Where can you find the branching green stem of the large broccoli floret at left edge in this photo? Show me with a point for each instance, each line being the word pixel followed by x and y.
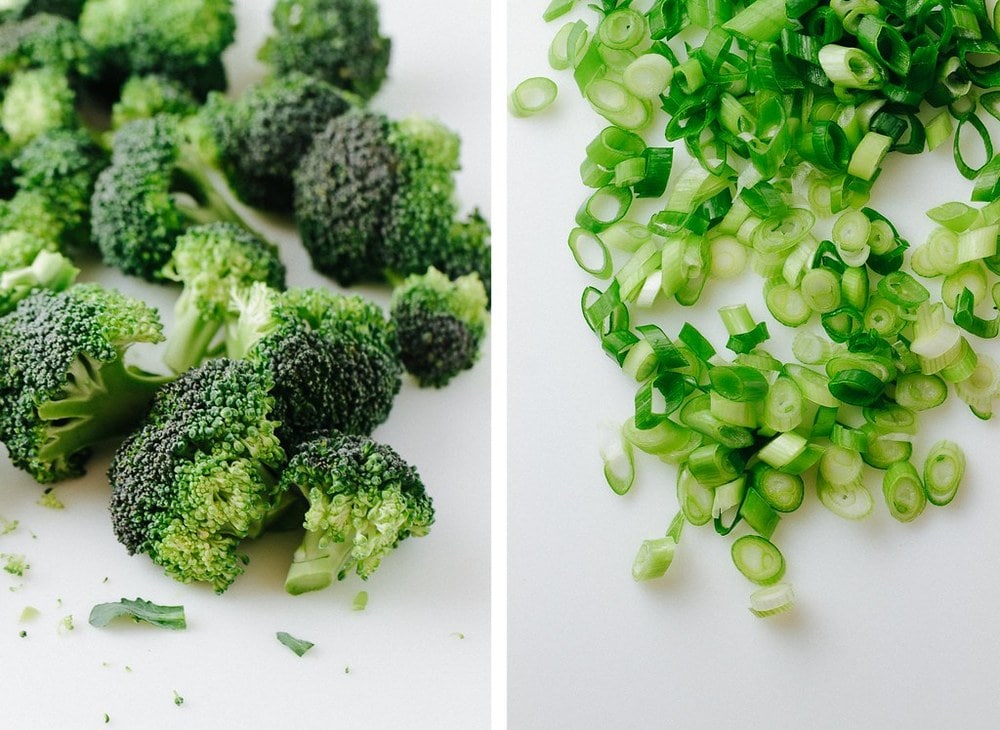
pixel 101 400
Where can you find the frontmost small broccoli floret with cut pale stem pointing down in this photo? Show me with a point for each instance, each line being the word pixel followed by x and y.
pixel 364 499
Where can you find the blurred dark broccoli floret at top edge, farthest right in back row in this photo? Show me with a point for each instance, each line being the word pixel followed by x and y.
pixel 335 40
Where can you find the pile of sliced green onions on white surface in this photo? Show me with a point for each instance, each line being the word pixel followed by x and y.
pixel 788 110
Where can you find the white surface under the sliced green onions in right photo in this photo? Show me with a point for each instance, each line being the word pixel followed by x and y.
pixel 895 625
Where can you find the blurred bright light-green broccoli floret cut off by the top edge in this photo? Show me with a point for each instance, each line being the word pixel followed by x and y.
pixel 183 39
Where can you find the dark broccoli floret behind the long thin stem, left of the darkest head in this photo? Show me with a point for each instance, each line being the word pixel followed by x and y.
pixel 263 133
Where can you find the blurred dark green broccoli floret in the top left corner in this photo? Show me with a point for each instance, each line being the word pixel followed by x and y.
pixel 44 40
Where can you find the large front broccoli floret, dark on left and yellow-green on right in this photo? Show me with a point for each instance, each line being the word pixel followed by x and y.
pixel 200 475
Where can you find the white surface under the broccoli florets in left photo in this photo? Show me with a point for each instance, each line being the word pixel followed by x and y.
pixel 408 665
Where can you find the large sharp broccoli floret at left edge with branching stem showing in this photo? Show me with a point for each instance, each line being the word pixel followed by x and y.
pixel 66 386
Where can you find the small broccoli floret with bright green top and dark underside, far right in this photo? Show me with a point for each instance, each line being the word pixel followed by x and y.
pixel 440 324
